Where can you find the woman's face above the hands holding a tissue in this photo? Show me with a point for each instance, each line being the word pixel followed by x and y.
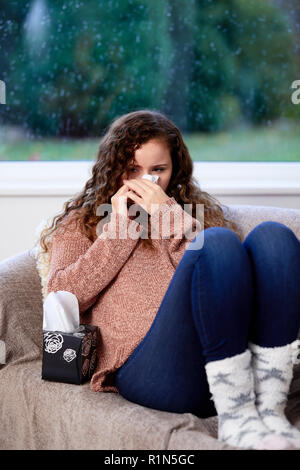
pixel 152 158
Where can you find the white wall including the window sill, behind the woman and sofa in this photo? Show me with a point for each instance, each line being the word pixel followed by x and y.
pixel 34 191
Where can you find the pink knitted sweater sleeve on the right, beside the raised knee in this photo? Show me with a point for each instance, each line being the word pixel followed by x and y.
pixel 175 226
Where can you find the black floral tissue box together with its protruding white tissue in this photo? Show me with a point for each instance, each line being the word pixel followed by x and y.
pixel 69 349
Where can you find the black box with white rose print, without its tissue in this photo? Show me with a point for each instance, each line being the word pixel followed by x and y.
pixel 70 357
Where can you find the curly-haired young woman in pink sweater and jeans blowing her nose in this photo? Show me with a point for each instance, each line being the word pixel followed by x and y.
pixel 207 328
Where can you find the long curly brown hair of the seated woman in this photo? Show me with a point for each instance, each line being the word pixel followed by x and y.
pixel 115 155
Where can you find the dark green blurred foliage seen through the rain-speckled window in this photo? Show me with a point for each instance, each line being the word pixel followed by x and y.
pixel 209 65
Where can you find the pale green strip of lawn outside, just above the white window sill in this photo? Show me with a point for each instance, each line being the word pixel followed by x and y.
pixel 257 144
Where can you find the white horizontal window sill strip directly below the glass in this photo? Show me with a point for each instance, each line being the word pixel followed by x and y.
pixel 65 178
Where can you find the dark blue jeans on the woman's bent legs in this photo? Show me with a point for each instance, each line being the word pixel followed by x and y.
pixel 220 297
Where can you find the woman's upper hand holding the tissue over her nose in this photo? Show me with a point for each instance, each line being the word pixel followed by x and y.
pixel 145 193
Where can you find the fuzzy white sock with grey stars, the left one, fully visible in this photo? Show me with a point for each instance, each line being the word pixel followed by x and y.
pixel 232 387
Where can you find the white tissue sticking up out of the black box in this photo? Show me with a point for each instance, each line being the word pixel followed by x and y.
pixel 61 312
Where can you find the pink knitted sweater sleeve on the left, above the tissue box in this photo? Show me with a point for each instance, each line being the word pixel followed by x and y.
pixel 85 268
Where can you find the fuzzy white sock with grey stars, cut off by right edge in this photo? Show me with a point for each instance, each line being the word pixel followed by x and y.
pixel 273 373
